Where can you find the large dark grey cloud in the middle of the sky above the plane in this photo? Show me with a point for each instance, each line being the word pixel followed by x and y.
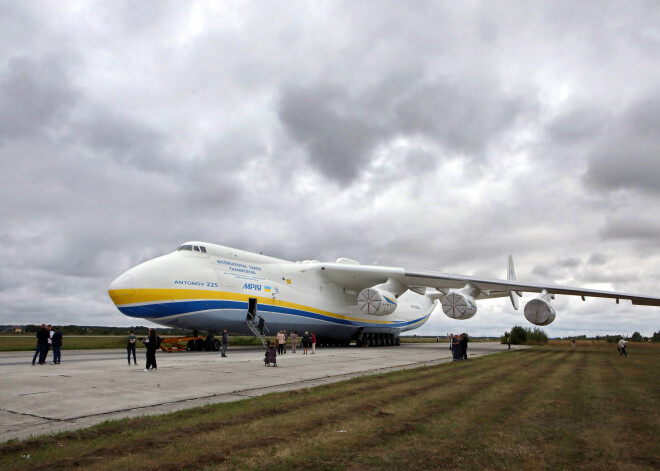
pixel 341 130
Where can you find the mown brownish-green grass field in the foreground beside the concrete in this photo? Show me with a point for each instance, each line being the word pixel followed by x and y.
pixel 550 407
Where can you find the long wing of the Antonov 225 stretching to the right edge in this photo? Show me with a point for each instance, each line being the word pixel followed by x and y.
pixel 358 277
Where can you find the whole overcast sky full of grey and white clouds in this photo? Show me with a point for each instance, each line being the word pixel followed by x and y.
pixel 429 135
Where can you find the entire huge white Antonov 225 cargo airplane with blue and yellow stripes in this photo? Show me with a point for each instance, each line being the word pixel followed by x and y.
pixel 207 287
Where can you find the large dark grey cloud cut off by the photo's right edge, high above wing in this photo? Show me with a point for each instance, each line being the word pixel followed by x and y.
pixel 626 154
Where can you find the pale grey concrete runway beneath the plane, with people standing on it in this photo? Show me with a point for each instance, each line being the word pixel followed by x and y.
pixel 92 386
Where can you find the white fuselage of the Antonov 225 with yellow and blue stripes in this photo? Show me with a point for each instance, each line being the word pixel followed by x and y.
pixel 213 289
